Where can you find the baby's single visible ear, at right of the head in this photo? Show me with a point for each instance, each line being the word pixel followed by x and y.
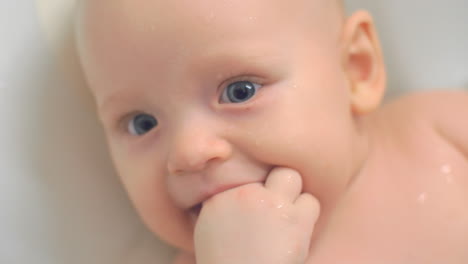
pixel 363 63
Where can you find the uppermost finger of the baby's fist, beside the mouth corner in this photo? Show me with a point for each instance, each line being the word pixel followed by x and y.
pixel 286 182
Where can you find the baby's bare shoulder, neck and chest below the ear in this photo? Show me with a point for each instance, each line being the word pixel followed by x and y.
pixel 414 211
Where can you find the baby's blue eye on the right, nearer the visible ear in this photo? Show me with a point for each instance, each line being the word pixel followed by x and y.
pixel 239 92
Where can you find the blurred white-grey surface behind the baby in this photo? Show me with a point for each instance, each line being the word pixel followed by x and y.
pixel 60 201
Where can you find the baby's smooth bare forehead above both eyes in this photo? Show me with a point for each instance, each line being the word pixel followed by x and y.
pixel 119 36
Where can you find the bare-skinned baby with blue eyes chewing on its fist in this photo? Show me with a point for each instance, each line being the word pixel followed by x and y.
pixel 249 131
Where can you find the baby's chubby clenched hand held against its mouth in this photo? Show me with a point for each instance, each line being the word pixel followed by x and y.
pixel 257 223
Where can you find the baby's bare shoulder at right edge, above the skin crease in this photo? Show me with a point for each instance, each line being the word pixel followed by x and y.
pixel 444 112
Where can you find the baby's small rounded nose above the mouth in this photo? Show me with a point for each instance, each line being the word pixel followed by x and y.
pixel 192 151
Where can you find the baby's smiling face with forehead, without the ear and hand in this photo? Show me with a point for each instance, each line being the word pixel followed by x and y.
pixel 200 95
